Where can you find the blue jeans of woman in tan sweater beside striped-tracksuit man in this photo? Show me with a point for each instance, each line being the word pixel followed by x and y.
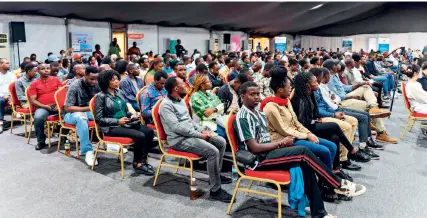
pixel 325 150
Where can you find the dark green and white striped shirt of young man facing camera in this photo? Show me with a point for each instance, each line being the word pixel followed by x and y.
pixel 251 126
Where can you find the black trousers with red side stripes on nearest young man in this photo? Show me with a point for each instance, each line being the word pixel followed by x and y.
pixel 286 158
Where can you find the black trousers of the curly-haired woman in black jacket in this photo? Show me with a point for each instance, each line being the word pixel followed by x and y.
pixel 141 135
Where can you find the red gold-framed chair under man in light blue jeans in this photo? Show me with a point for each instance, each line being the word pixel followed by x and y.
pixel 60 96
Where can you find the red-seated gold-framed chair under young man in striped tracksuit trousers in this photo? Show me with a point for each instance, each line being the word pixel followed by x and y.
pixel 277 177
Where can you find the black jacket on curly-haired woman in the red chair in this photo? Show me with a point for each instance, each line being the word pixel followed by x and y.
pixel 104 111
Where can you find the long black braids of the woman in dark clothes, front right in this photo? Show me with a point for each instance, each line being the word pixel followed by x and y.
pixel 304 102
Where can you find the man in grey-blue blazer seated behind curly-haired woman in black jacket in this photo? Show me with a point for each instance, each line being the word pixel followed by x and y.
pixel 131 85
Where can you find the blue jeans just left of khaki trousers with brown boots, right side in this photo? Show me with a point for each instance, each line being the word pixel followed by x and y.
pixel 363 122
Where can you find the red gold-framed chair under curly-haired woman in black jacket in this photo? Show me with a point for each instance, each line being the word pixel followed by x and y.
pixel 121 141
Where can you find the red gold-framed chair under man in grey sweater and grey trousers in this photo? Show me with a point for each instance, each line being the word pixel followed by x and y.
pixel 169 151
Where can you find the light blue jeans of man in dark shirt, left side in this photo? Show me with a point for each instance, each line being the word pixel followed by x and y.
pixel 80 120
